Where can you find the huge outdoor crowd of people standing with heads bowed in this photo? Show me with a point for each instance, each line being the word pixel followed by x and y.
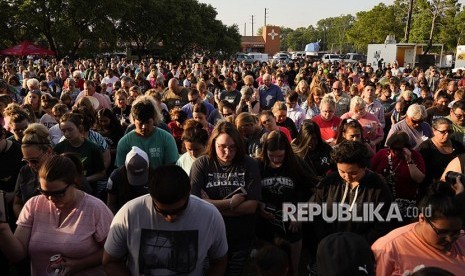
pixel 160 168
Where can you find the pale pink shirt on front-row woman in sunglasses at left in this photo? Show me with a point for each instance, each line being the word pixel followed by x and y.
pixel 81 233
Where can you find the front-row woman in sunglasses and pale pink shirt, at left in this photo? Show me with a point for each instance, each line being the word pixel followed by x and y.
pixel 62 220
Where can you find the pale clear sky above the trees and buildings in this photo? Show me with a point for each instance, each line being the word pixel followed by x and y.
pixel 288 13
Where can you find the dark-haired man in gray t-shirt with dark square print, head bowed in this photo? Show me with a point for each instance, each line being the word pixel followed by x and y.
pixel 168 232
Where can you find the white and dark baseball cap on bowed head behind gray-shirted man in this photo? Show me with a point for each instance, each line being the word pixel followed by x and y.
pixel 137 167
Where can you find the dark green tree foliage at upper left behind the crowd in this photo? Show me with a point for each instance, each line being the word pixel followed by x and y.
pixel 78 27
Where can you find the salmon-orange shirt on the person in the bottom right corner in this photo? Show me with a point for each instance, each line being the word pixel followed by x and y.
pixel 402 249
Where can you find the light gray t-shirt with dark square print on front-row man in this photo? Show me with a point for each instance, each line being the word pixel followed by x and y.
pixel 154 246
